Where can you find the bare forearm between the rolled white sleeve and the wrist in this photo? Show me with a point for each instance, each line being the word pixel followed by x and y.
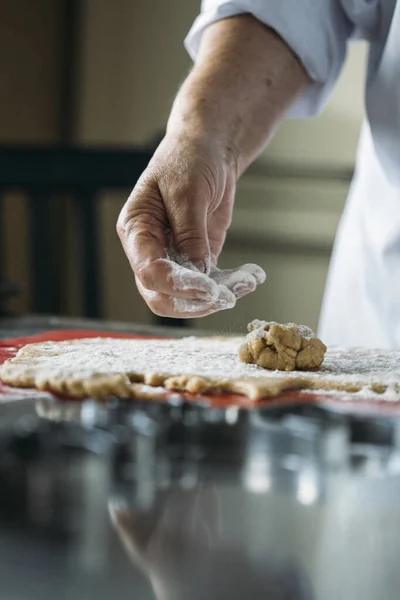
pixel 244 81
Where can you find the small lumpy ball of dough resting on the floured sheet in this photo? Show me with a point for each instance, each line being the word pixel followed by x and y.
pixel 282 347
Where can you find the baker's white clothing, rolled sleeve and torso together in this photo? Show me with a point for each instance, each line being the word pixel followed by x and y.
pixel 362 299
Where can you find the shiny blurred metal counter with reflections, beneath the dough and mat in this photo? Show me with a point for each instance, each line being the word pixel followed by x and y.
pixel 178 502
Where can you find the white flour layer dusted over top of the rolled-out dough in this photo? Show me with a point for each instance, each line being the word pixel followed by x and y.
pixel 210 358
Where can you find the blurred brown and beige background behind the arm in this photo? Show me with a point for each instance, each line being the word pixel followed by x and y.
pixel 86 87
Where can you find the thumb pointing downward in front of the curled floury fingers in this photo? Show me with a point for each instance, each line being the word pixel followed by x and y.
pixel 187 217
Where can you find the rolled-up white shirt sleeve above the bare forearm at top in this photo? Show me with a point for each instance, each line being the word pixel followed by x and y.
pixel 316 30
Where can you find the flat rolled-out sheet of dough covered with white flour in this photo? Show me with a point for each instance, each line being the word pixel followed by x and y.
pixel 104 367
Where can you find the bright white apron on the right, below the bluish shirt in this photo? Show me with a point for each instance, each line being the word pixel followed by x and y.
pixel 362 298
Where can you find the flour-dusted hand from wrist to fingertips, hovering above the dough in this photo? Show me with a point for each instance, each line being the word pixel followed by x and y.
pixel 174 225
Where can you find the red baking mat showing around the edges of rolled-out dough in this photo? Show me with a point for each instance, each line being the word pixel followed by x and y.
pixel 9 348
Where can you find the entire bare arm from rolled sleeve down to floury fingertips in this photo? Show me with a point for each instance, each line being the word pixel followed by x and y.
pixel 244 81
